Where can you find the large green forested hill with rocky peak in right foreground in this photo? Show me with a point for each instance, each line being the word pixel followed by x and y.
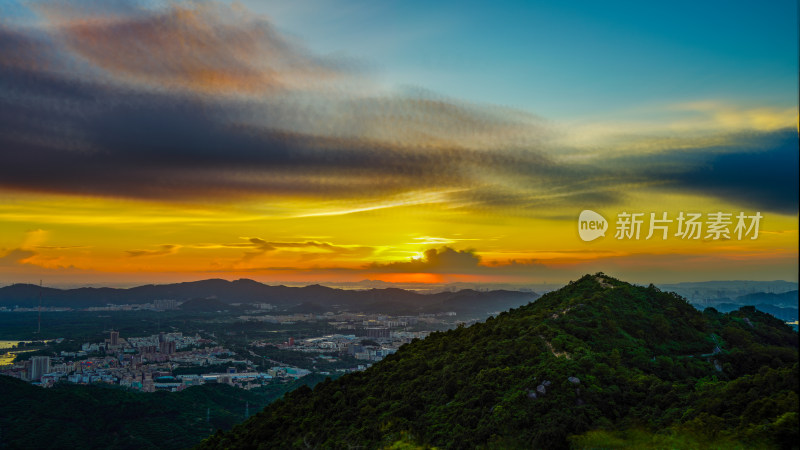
pixel 598 363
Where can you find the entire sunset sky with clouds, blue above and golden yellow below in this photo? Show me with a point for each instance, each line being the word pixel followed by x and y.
pixel 329 141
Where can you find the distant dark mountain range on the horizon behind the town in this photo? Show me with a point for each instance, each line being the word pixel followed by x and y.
pixel 312 298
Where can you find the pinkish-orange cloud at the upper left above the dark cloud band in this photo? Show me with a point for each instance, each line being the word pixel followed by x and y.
pixel 199 46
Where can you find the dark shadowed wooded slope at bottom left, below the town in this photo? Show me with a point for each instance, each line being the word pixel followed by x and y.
pixel 103 417
